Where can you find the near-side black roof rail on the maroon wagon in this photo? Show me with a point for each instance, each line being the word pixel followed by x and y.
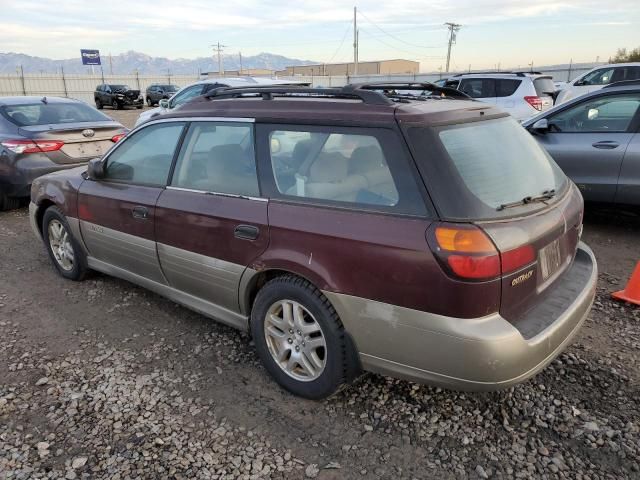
pixel 267 92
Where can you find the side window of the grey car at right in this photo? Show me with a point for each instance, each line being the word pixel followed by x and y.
pixel 604 114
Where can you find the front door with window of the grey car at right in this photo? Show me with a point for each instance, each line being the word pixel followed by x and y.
pixel 588 140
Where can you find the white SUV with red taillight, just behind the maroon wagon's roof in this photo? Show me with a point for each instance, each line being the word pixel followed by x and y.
pixel 522 95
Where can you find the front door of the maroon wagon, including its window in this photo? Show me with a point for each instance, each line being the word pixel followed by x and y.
pixel 118 212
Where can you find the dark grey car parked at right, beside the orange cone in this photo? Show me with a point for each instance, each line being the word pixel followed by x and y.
pixel 595 139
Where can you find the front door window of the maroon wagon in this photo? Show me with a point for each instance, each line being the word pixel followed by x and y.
pixel 145 157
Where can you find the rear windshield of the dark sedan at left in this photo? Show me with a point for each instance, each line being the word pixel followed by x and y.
pixel 27 115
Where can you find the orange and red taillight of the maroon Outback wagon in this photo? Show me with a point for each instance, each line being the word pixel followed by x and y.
pixel 468 253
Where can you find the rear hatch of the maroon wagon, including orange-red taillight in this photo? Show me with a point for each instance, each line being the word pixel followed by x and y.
pixel 517 212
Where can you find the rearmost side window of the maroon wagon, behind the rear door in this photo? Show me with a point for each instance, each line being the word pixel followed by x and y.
pixel 332 166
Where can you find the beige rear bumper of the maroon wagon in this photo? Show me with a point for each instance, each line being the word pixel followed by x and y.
pixel 487 353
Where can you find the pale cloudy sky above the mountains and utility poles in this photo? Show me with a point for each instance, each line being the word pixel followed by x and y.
pixel 505 33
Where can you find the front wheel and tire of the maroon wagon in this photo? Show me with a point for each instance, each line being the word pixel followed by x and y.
pixel 54 218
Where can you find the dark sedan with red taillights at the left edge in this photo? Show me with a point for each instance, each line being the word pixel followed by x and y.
pixel 39 135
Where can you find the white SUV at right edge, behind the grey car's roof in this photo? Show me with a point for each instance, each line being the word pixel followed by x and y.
pixel 597 78
